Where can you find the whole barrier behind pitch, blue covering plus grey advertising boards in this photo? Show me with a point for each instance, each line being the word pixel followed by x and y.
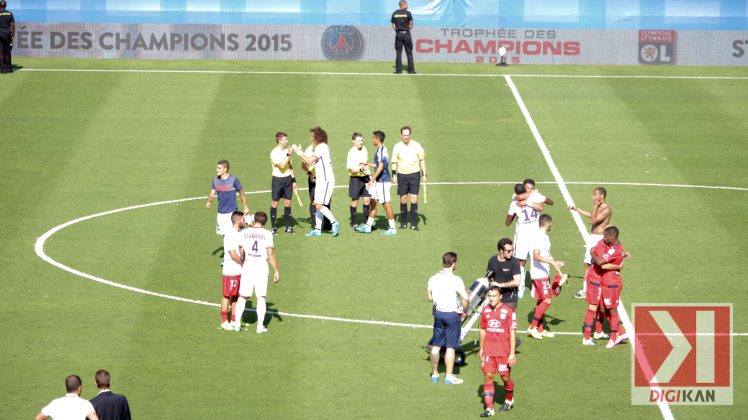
pixel 660 32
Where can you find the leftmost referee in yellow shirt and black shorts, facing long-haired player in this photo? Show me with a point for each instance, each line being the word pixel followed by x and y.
pixel 283 183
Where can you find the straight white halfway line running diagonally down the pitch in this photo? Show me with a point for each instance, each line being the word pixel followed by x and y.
pixel 667 414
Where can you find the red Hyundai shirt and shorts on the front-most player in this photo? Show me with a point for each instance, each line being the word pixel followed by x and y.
pixel 498 324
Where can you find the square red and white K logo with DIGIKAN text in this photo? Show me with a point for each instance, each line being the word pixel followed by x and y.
pixel 682 354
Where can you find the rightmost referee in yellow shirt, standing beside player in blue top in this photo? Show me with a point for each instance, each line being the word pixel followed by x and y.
pixel 408 165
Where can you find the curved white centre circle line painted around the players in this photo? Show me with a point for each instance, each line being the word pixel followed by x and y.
pixel 39 249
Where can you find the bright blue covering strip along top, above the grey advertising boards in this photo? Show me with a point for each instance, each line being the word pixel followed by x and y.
pixel 557 14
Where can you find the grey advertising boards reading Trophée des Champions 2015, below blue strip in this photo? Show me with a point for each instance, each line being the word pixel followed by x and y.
pixel 369 43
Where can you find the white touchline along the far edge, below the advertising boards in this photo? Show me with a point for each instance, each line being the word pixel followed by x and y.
pixel 331 73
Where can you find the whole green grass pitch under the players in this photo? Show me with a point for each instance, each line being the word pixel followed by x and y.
pixel 76 143
